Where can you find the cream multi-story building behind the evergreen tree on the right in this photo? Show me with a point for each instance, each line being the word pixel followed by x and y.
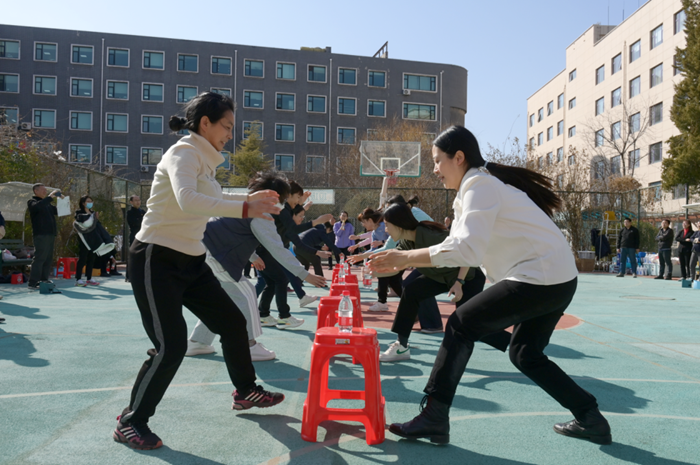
pixel 614 97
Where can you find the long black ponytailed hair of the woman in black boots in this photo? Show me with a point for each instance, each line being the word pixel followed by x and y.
pixel 537 186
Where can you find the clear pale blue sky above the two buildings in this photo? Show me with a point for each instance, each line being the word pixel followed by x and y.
pixel 510 47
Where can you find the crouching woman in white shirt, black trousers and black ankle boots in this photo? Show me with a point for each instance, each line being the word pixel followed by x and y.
pixel 503 224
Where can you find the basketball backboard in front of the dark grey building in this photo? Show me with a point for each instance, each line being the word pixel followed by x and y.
pixel 377 156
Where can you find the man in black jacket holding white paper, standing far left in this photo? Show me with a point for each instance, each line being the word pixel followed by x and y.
pixel 43 214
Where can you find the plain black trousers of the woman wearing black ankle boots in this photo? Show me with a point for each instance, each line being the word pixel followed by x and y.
pixel 535 311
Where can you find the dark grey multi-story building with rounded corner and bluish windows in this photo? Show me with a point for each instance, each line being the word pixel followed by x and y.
pixel 107 98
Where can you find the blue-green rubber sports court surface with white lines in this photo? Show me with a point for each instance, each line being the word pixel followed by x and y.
pixel 67 363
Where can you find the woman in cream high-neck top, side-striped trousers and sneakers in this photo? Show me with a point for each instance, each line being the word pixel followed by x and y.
pixel 168 269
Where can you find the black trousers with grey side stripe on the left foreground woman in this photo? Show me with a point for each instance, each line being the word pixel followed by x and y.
pixel 163 281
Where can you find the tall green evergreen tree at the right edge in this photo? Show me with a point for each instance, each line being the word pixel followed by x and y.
pixel 683 164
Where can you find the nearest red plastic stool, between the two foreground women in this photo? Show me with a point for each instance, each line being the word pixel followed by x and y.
pixel 360 343
